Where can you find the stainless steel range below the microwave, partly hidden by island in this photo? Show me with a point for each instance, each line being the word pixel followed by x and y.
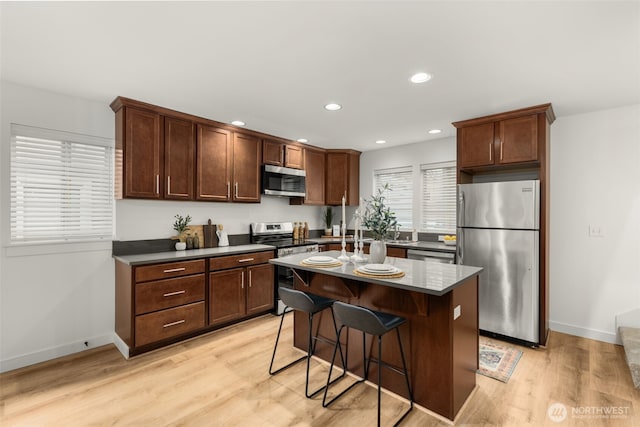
pixel 280 235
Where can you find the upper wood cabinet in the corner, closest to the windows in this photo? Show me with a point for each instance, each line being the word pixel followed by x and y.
pixel 342 177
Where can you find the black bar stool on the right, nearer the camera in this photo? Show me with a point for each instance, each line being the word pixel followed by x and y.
pixel 373 323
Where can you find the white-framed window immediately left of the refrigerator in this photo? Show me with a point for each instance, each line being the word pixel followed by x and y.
pixel 447 215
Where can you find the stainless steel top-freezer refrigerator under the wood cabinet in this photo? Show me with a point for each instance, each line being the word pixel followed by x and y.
pixel 499 230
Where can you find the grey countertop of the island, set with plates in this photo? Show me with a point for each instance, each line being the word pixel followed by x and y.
pixel 427 277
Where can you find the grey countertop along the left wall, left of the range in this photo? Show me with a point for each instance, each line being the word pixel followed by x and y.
pixel 171 256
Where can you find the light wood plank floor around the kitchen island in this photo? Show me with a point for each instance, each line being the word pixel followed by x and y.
pixel 221 379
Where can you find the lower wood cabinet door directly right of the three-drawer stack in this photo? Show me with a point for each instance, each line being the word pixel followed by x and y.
pixel 226 295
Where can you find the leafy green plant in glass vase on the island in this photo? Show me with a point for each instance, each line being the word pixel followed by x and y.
pixel 379 219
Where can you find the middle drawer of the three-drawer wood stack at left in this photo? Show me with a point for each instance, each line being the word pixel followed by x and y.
pixel 161 294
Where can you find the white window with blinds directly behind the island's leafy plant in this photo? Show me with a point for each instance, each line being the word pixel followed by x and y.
pixel 405 176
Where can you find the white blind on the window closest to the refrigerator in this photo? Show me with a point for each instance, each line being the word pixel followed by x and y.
pixel 438 210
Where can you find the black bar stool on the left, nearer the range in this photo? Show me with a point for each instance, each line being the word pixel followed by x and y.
pixel 310 304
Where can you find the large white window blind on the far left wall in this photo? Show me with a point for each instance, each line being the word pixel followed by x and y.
pixel 61 186
